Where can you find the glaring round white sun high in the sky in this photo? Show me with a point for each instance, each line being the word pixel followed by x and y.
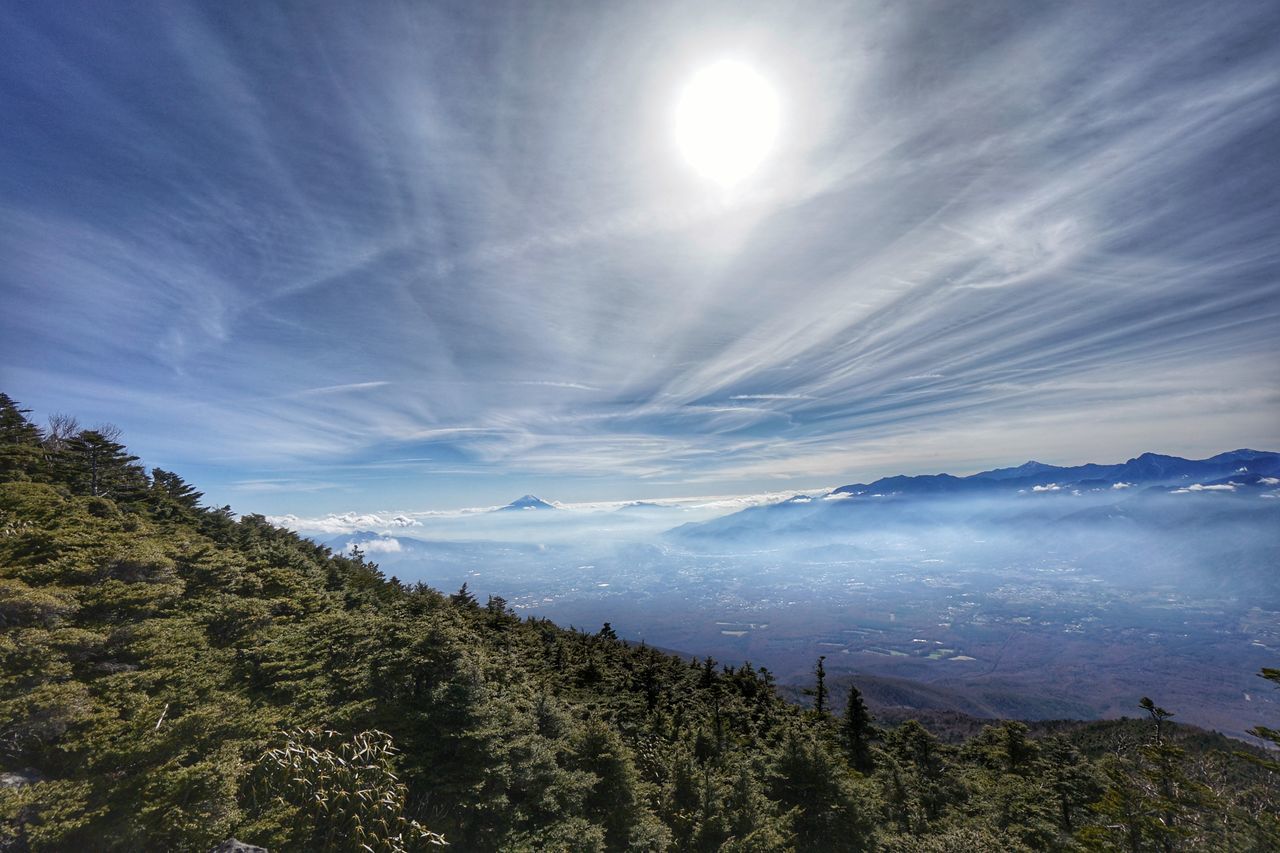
pixel 726 121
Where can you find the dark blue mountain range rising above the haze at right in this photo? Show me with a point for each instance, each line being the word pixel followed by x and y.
pixel 1151 489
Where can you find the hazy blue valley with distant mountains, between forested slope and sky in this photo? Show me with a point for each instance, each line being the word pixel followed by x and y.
pixel 1031 592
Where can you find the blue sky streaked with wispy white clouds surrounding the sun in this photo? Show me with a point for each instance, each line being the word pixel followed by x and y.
pixel 328 257
